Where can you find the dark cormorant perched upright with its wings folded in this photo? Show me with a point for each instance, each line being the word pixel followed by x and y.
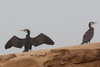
pixel 89 34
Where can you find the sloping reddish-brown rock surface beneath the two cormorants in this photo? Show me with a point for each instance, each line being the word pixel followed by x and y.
pixel 87 55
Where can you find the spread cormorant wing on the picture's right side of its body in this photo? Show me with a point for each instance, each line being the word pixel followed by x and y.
pixel 41 39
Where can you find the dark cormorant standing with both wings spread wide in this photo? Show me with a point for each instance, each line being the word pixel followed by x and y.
pixel 28 41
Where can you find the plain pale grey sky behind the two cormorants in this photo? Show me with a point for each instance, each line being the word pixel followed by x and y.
pixel 64 21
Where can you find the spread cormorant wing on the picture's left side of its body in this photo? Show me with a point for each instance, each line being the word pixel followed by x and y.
pixel 16 42
